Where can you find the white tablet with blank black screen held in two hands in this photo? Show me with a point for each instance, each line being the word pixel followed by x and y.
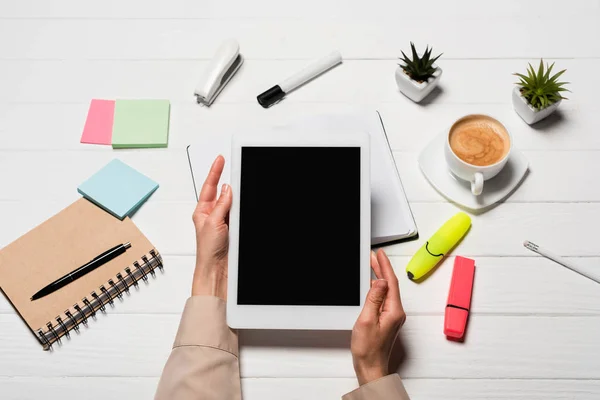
pixel 299 230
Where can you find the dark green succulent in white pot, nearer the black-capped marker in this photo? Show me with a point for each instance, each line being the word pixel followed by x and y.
pixel 419 75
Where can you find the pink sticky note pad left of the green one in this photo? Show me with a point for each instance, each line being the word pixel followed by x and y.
pixel 98 125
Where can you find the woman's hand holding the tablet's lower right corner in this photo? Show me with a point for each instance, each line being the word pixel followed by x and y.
pixel 378 324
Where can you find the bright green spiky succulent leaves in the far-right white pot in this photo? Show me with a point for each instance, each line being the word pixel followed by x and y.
pixel 540 89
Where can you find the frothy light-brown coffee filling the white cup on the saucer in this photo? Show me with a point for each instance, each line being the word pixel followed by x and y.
pixel 479 140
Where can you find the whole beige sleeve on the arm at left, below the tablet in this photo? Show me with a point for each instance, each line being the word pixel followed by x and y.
pixel 204 361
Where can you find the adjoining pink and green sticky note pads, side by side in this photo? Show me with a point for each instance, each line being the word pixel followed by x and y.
pixel 127 123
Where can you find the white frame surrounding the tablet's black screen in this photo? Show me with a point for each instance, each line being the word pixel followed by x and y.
pixel 298 317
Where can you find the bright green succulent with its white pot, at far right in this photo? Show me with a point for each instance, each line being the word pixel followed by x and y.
pixel 537 95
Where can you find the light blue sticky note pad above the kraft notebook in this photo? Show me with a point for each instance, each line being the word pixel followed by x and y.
pixel 118 188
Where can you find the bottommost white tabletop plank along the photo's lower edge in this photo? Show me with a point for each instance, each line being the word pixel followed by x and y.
pixel 300 389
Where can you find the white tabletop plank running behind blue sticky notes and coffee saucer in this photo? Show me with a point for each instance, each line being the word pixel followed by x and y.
pixel 571 184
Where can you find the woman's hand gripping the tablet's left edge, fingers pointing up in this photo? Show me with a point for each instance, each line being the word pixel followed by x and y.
pixel 211 219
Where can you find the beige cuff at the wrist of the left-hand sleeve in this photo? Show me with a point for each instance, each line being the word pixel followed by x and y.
pixel 203 323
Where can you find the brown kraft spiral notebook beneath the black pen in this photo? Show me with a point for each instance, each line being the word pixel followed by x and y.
pixel 60 245
